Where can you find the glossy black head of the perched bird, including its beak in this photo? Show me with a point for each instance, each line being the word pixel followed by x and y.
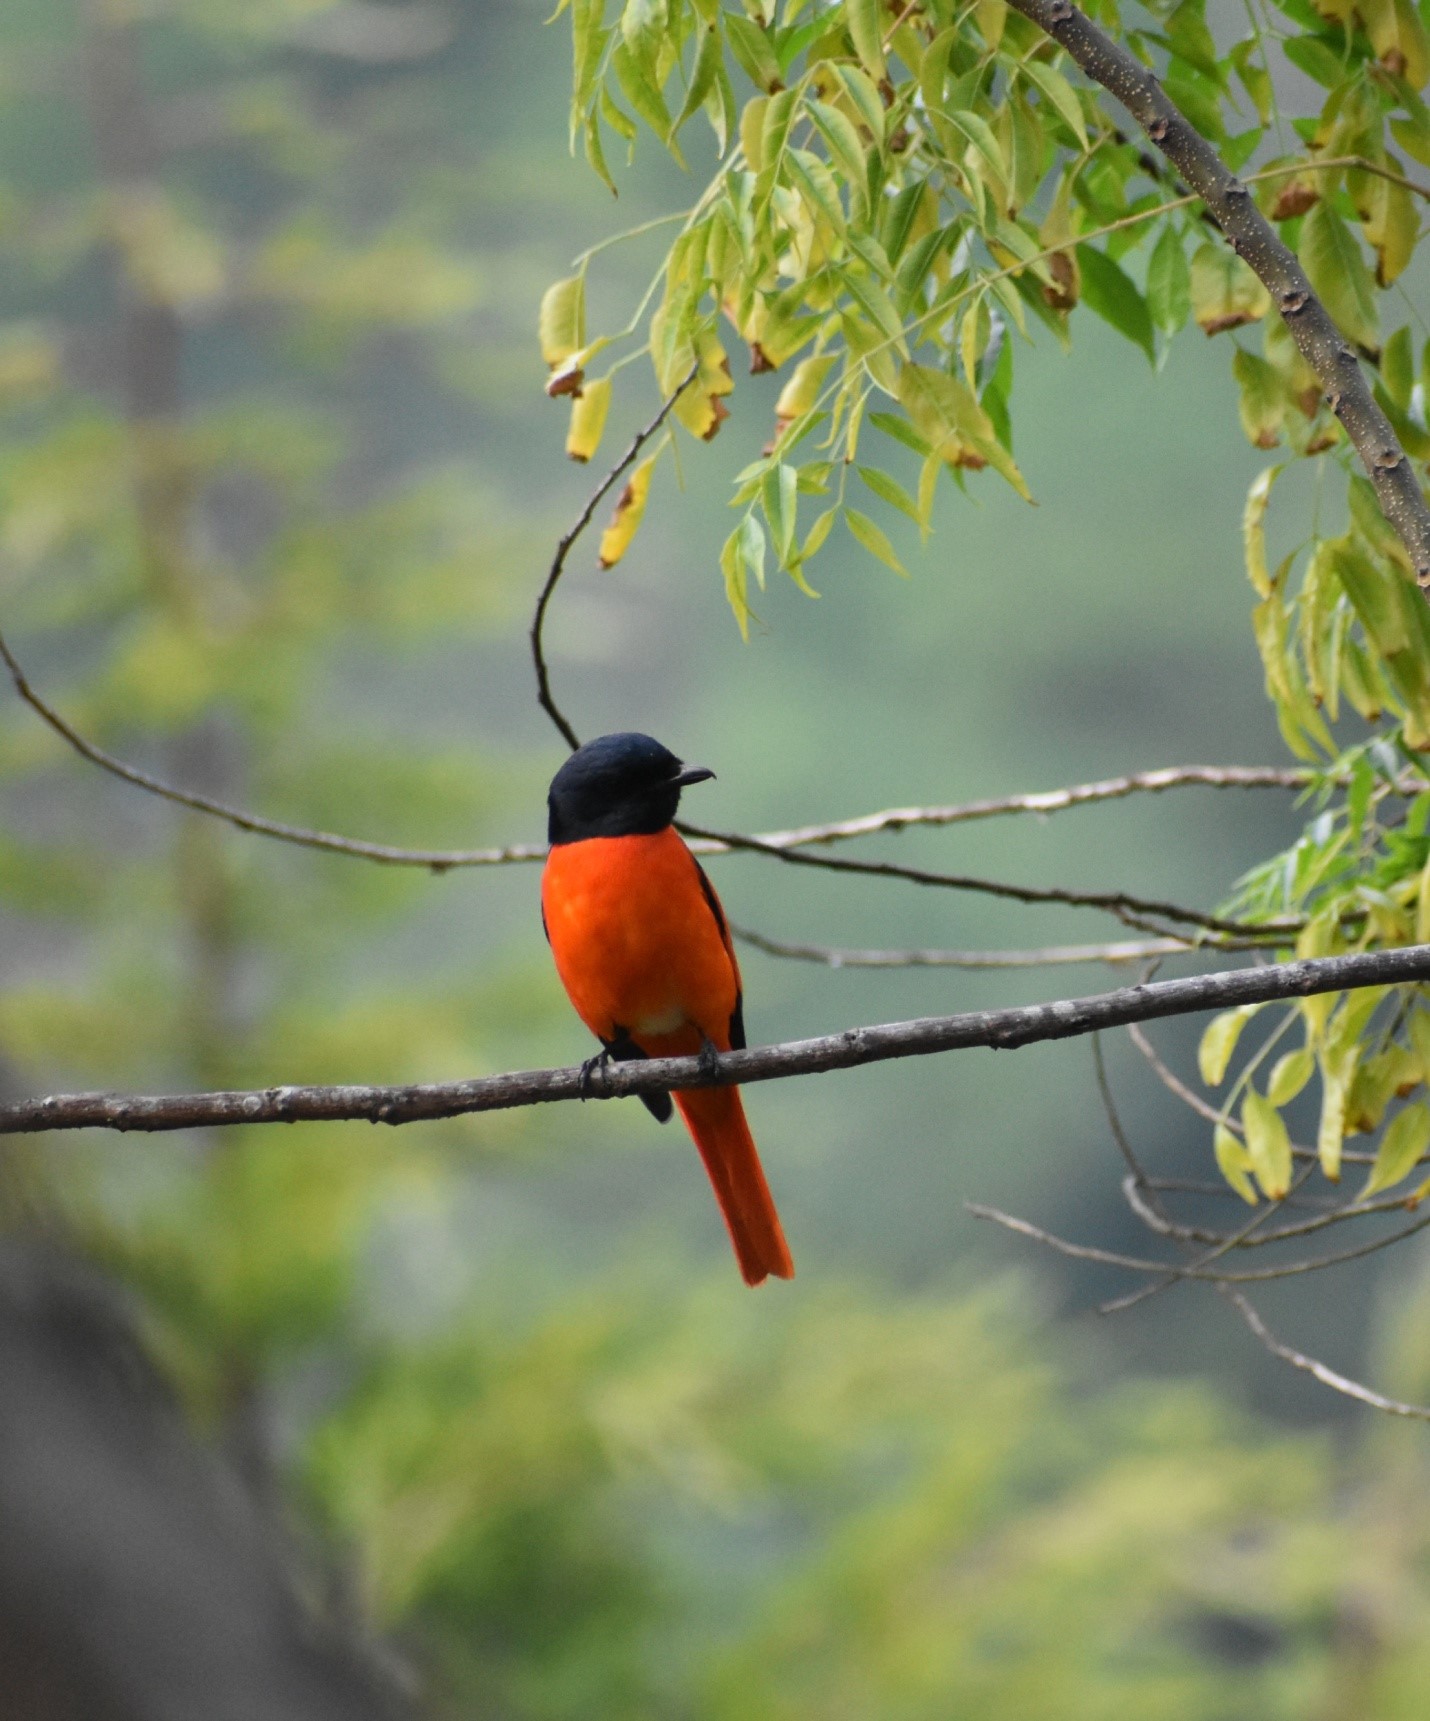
pixel 617 786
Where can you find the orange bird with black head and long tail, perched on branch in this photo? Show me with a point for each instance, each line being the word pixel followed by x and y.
pixel 644 953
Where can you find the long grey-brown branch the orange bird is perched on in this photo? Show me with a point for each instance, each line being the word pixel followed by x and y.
pixel 999 1030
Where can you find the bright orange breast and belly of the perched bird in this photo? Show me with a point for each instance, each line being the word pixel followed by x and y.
pixel 636 942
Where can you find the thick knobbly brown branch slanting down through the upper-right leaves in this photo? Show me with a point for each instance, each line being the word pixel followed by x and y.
pixel 1254 238
